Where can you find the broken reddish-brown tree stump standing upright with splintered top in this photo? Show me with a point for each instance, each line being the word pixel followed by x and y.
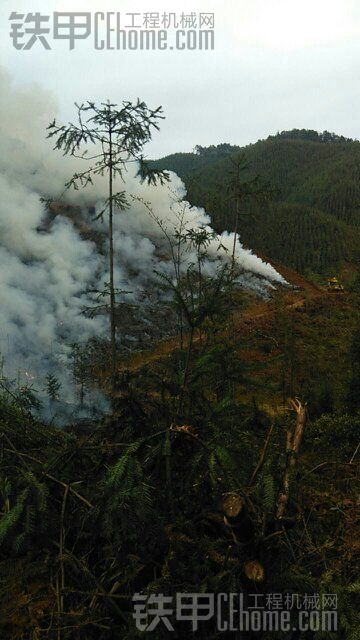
pixel 293 442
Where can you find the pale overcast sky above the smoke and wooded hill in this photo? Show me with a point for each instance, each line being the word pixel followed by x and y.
pixel 277 64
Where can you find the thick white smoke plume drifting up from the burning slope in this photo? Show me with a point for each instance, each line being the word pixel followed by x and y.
pixel 45 272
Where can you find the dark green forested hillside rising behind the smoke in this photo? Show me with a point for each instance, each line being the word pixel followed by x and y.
pixel 311 219
